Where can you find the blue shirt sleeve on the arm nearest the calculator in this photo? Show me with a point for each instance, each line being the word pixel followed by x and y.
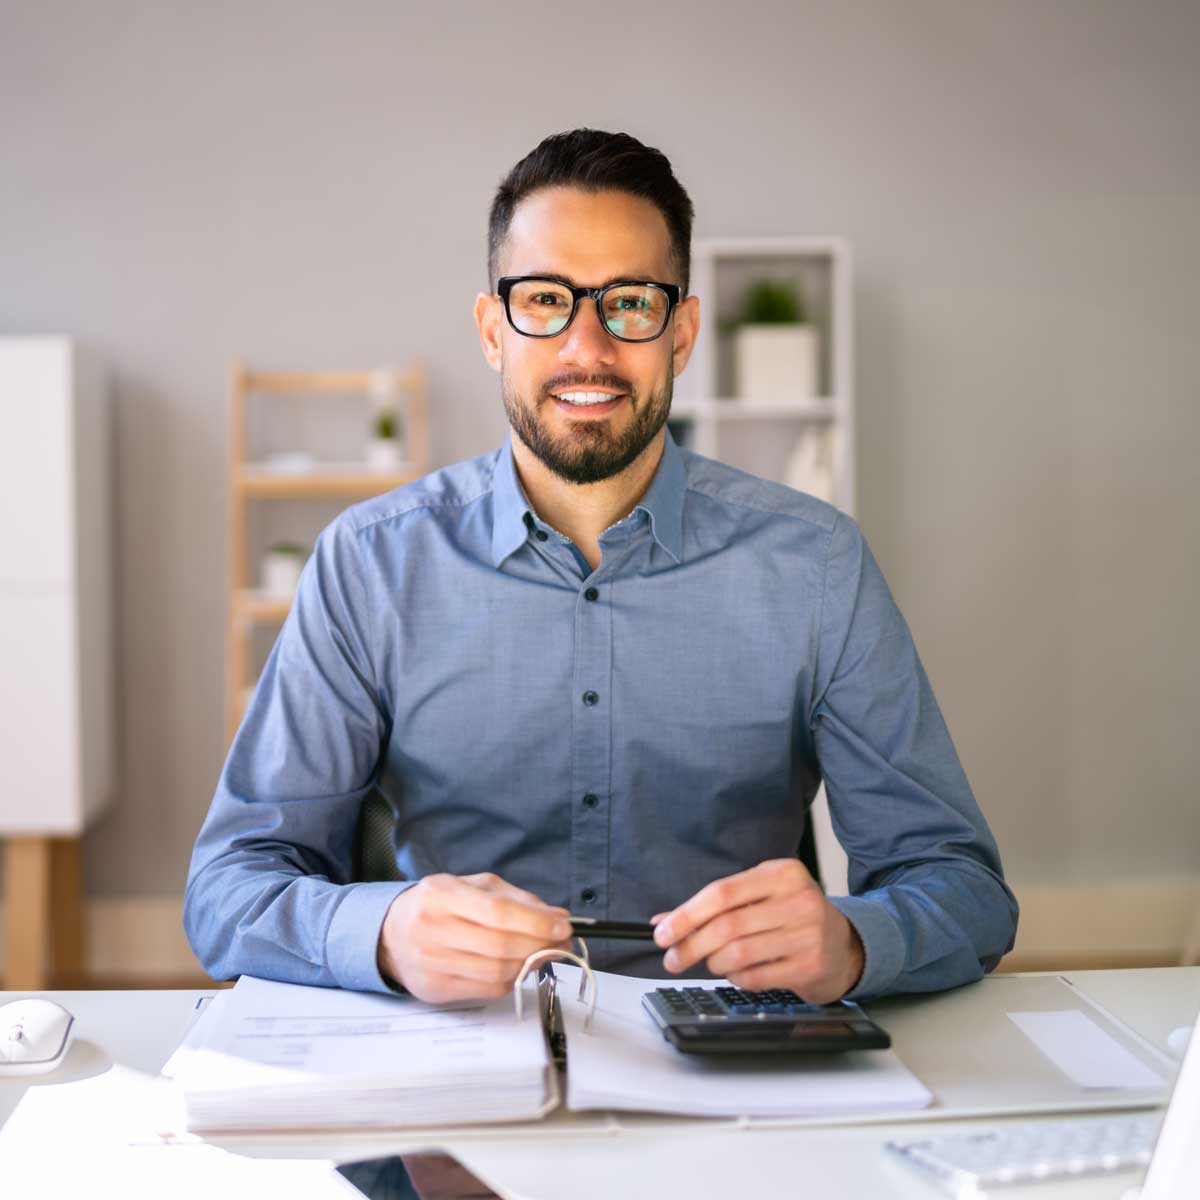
pixel 928 895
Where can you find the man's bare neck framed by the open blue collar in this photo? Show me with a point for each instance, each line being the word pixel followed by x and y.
pixel 583 512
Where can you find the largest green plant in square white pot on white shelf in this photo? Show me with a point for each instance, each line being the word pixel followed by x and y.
pixel 775 345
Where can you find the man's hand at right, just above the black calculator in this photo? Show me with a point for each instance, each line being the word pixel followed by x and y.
pixel 771 927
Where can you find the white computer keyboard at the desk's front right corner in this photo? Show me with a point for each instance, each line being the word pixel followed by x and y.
pixel 1030 1151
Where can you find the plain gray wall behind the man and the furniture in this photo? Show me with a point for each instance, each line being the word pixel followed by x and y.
pixel 1019 181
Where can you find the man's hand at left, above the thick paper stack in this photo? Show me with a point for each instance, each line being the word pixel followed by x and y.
pixel 465 938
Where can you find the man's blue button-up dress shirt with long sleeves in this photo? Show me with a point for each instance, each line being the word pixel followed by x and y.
pixel 611 741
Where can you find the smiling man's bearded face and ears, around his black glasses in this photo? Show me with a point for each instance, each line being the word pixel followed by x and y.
pixel 587 241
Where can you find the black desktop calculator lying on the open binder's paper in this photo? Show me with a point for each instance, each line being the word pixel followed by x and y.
pixel 730 1021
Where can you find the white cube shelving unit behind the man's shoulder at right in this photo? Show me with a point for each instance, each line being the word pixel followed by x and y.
pixel 757 434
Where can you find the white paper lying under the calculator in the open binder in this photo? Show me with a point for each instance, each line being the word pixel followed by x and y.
pixel 626 1064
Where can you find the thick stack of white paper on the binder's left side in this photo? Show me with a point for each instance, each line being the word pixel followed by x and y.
pixel 283 1057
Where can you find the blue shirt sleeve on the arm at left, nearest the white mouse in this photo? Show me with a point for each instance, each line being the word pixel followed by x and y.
pixel 272 889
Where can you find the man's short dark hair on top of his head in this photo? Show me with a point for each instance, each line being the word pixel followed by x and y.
pixel 596 161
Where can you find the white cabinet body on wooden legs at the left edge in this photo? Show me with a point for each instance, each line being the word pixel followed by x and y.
pixel 57 751
